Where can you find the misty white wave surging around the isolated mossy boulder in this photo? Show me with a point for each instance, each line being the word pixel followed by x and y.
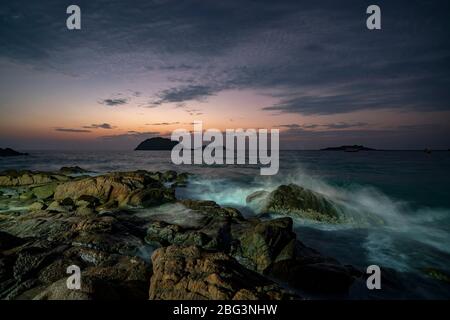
pixel 394 228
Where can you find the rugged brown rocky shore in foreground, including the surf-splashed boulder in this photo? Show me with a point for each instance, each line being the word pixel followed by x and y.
pixel 108 225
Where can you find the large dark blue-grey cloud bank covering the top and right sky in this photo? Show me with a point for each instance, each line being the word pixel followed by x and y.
pixel 314 57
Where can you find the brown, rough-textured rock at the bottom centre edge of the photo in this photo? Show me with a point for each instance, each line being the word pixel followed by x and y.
pixel 181 273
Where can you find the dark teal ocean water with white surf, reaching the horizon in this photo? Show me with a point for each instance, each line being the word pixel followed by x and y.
pixel 407 190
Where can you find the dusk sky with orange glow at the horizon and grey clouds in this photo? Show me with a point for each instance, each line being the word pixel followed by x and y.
pixel 143 68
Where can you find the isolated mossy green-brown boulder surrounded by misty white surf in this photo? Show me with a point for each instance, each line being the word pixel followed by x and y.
pixel 297 201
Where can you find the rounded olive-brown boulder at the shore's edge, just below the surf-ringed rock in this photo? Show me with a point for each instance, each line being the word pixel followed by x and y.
pixel 266 242
